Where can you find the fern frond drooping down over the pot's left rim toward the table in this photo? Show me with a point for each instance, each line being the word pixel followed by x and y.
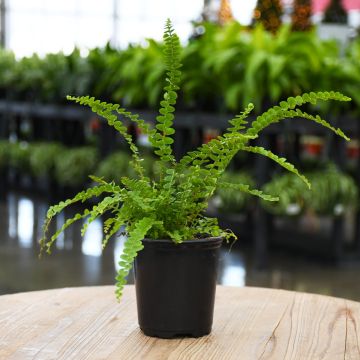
pixel 132 246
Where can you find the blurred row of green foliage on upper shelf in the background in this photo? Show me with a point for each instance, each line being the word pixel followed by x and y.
pixel 223 70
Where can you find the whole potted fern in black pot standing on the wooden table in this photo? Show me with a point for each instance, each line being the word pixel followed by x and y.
pixel 173 244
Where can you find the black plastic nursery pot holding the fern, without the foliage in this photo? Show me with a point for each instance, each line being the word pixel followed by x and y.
pixel 175 287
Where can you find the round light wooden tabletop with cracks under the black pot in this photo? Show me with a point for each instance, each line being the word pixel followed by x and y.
pixel 249 323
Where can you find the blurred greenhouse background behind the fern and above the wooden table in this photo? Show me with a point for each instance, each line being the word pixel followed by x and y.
pixel 234 52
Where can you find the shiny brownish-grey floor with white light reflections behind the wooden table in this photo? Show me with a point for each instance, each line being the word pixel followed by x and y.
pixel 80 262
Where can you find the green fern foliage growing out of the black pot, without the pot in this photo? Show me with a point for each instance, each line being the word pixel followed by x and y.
pixel 173 205
